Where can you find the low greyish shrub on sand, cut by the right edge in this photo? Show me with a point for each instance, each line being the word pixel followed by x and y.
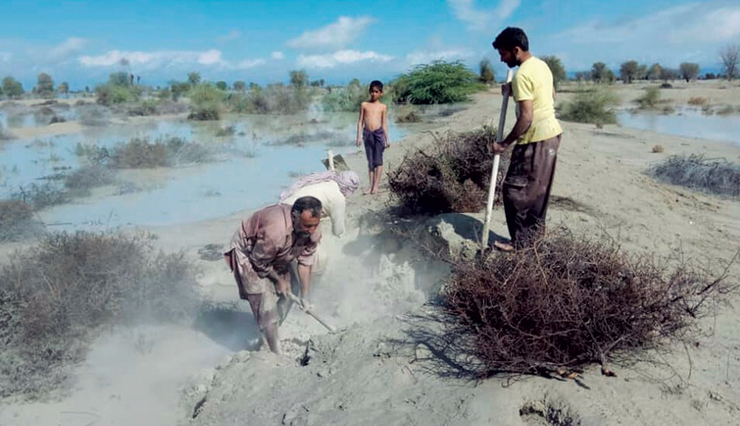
pixel 716 176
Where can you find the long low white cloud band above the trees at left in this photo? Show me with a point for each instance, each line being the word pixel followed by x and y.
pixel 154 60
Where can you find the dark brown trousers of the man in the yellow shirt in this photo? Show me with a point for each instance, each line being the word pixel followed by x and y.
pixel 526 189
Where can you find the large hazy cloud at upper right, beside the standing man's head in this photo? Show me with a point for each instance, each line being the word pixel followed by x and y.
pixel 691 32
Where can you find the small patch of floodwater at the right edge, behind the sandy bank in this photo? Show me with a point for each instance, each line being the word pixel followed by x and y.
pixel 686 122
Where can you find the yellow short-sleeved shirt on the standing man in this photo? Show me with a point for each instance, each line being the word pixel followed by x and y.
pixel 533 82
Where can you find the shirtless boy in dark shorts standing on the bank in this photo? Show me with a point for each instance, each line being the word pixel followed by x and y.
pixel 372 127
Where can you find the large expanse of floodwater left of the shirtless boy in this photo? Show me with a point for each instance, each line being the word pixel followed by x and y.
pixel 251 167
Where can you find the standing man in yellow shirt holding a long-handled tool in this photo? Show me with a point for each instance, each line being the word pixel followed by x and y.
pixel 537 135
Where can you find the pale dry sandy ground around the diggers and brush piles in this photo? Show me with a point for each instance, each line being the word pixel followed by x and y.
pixel 373 372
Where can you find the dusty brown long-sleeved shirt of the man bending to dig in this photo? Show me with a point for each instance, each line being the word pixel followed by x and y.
pixel 267 241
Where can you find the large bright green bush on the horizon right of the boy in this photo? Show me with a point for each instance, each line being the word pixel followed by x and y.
pixel 437 83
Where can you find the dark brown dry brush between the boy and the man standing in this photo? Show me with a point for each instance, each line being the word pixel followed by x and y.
pixel 451 176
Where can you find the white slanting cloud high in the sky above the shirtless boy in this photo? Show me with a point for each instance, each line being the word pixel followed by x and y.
pixel 333 36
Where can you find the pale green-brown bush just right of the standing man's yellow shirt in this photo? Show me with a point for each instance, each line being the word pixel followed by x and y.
pixel 591 106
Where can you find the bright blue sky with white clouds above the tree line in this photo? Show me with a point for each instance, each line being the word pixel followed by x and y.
pixel 83 41
